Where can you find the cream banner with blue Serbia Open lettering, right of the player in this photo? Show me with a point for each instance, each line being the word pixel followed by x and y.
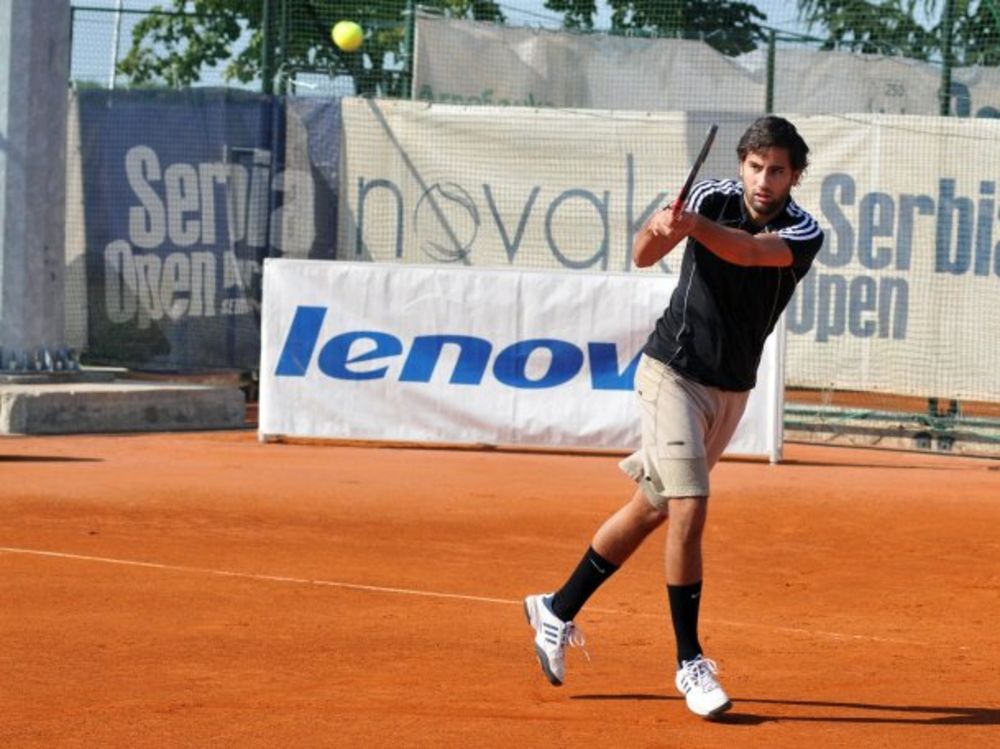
pixel 903 296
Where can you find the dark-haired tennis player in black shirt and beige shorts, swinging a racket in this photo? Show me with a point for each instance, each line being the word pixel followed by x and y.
pixel 748 245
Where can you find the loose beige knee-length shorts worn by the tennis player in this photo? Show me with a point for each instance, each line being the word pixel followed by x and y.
pixel 685 428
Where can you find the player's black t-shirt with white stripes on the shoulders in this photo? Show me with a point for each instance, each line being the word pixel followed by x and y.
pixel 720 314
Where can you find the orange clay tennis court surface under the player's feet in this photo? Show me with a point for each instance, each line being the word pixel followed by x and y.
pixel 206 590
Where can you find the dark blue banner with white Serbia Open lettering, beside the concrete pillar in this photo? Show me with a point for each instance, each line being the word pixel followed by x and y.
pixel 178 201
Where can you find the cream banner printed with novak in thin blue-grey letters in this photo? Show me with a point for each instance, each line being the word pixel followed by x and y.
pixel 528 188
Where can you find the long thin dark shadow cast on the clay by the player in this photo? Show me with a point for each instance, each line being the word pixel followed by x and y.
pixel 835 712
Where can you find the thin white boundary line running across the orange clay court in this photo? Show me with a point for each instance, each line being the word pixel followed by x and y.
pixel 428 593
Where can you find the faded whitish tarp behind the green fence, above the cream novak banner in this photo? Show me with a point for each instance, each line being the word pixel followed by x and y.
pixel 468 62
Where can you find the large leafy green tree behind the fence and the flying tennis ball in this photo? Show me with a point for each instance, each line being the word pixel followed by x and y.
pixel 173 45
